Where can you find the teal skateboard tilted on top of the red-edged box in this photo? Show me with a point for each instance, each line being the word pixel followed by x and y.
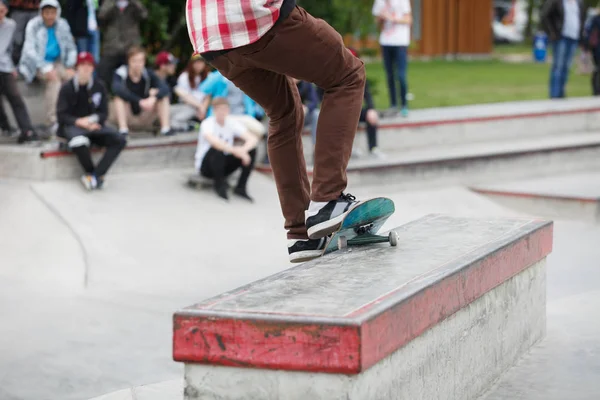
pixel 360 226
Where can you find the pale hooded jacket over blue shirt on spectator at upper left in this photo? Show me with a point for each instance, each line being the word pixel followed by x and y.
pixel 45 45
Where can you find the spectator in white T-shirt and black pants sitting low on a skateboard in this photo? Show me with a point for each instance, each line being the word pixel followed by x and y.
pixel 217 156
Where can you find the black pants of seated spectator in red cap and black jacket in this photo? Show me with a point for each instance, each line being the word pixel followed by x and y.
pixel 106 137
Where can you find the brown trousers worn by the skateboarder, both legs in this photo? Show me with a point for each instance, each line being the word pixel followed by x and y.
pixel 308 49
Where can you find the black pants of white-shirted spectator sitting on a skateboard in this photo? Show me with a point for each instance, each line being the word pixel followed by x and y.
pixel 218 166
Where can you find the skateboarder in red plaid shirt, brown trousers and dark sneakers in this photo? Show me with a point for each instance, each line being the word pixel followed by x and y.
pixel 259 45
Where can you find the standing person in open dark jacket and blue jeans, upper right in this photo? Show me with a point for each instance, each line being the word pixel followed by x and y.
pixel 563 21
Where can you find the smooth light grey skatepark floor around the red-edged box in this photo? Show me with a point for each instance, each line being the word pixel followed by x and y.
pixel 88 282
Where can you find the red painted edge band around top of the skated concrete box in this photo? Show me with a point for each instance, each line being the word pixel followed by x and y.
pixel 348 349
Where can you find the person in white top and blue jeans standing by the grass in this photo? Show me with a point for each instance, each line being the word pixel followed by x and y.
pixel 395 20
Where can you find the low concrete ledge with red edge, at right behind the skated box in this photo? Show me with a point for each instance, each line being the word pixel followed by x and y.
pixel 573 196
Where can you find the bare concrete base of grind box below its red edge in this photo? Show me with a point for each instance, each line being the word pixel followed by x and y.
pixel 456 359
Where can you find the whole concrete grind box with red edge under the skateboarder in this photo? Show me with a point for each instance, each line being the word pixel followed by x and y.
pixel 343 326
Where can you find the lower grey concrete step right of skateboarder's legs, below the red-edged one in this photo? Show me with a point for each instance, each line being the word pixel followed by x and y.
pixel 479 162
